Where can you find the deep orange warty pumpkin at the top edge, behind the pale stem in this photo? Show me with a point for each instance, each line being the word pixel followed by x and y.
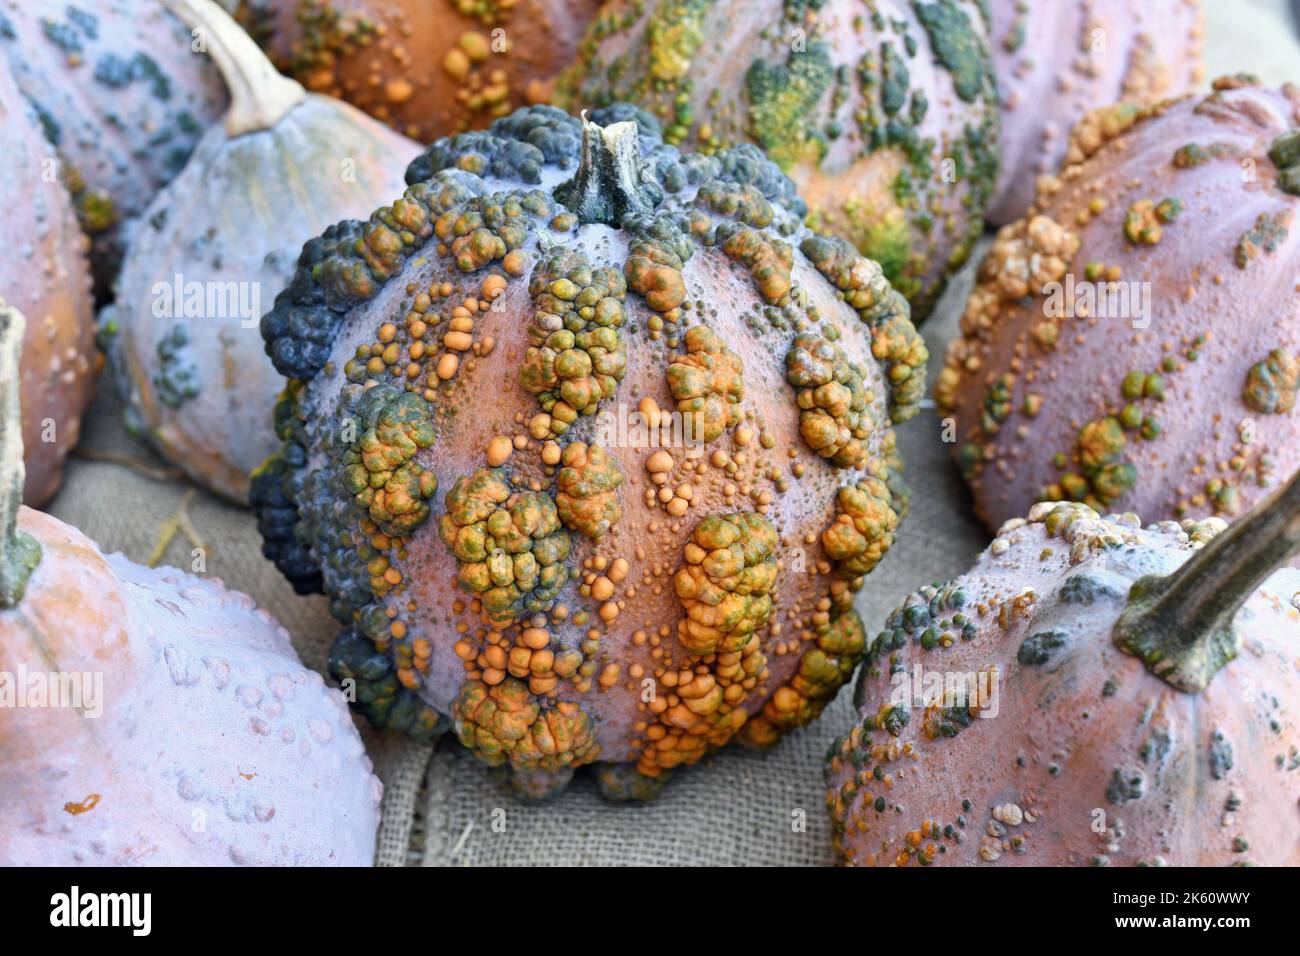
pixel 428 68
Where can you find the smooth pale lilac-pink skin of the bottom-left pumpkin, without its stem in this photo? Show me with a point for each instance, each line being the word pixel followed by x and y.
pixel 215 746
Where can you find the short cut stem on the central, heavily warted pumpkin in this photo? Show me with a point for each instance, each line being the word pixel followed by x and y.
pixel 608 187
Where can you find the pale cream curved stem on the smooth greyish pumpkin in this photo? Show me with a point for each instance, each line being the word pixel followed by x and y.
pixel 259 96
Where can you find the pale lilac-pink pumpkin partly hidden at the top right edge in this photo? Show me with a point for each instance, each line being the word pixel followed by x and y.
pixel 1056 62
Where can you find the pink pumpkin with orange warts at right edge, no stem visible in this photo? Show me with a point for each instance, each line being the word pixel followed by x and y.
pixel 1134 341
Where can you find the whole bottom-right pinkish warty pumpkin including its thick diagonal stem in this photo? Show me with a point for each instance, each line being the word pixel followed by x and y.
pixel 1093 693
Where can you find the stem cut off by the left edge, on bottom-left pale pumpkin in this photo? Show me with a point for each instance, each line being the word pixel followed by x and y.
pixel 20 553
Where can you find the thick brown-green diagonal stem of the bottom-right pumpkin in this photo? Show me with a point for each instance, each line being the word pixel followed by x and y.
pixel 1181 625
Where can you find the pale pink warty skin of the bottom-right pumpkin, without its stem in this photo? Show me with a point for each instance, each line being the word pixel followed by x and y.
pixel 1064 728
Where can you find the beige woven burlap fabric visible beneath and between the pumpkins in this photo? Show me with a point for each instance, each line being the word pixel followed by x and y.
pixel 739 807
